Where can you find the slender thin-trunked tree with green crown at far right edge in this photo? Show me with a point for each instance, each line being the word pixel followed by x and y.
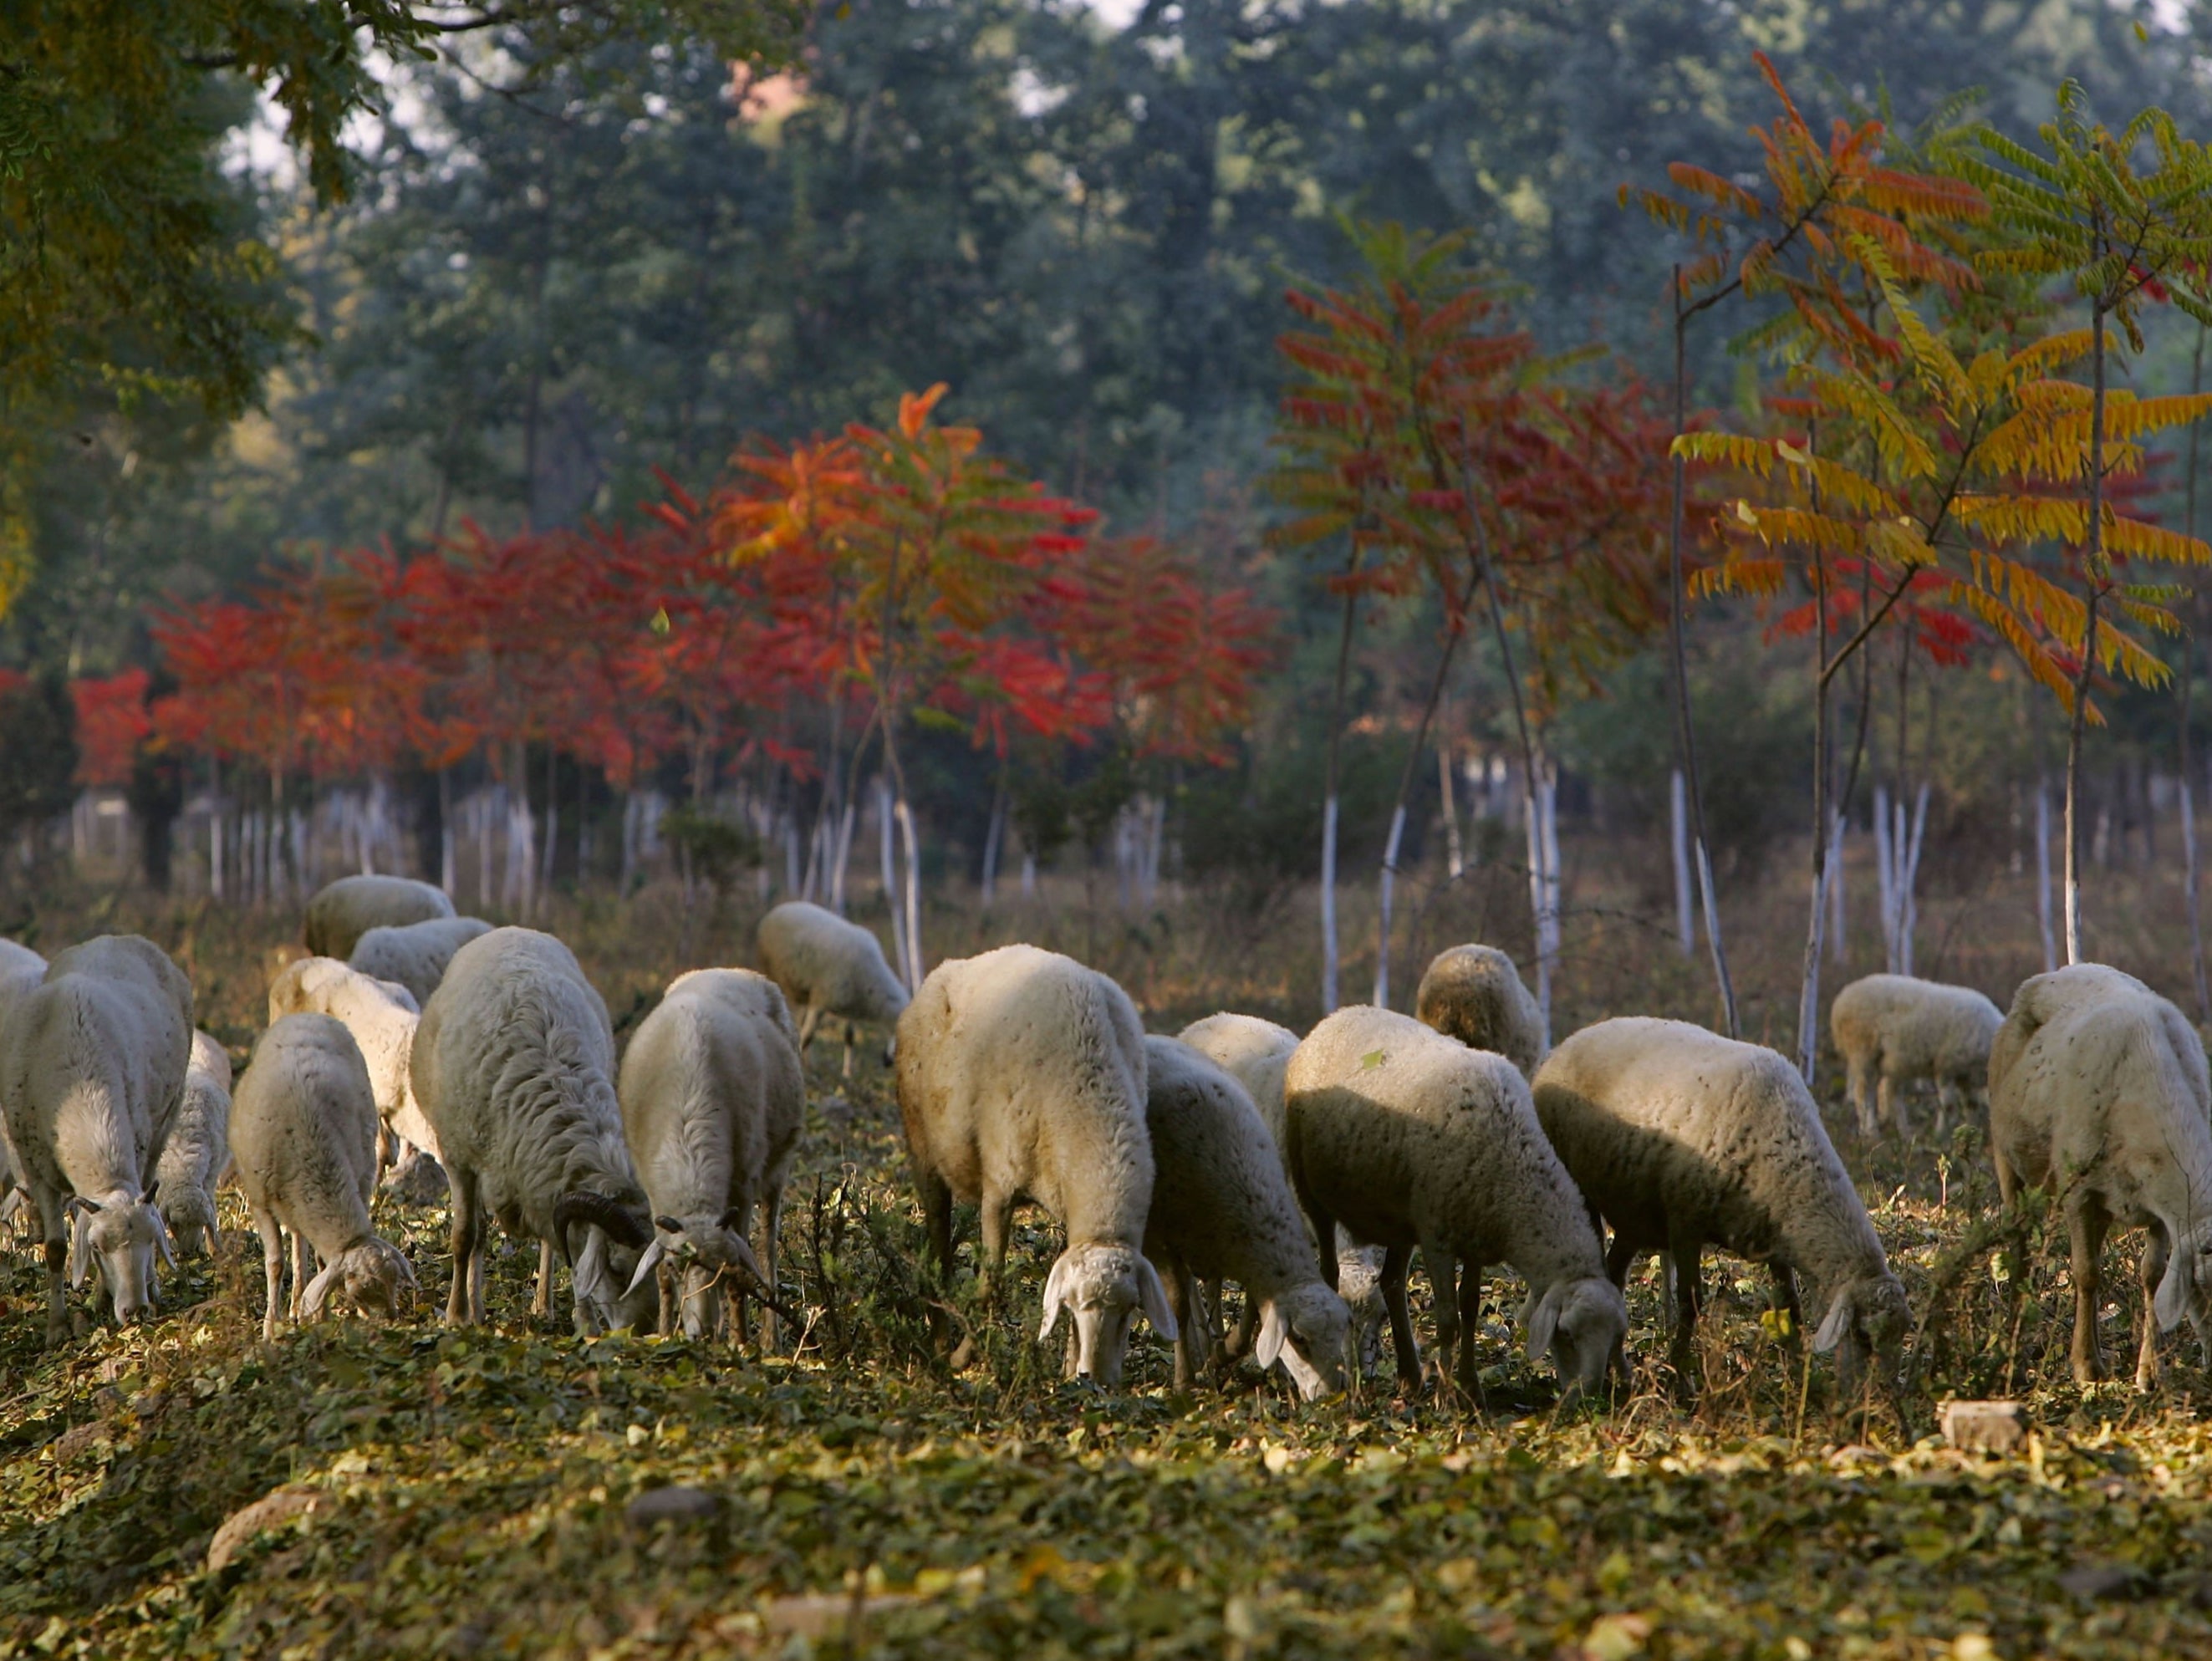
pixel 2080 209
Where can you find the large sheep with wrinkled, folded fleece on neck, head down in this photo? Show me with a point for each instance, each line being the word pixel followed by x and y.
pixel 514 1069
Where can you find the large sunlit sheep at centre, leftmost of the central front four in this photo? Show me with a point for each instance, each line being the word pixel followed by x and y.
pixel 1021 1076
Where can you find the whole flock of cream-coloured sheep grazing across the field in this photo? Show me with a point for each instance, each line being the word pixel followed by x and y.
pixel 1302 1171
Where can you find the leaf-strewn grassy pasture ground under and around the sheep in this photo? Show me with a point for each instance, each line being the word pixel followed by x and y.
pixel 187 1490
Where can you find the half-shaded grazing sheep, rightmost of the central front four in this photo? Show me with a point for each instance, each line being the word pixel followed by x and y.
pixel 1684 1140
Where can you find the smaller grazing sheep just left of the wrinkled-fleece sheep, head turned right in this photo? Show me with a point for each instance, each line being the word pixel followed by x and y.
pixel 304 1134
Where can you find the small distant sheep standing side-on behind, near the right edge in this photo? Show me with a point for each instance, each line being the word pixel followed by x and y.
pixel 1901 1030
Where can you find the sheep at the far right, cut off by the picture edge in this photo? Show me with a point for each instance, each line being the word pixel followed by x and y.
pixel 2098 1089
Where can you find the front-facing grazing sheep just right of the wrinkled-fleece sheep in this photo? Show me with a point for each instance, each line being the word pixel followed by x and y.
pixel 711 1103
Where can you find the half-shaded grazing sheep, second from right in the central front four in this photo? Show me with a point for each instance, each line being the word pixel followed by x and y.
pixel 1410 1138
